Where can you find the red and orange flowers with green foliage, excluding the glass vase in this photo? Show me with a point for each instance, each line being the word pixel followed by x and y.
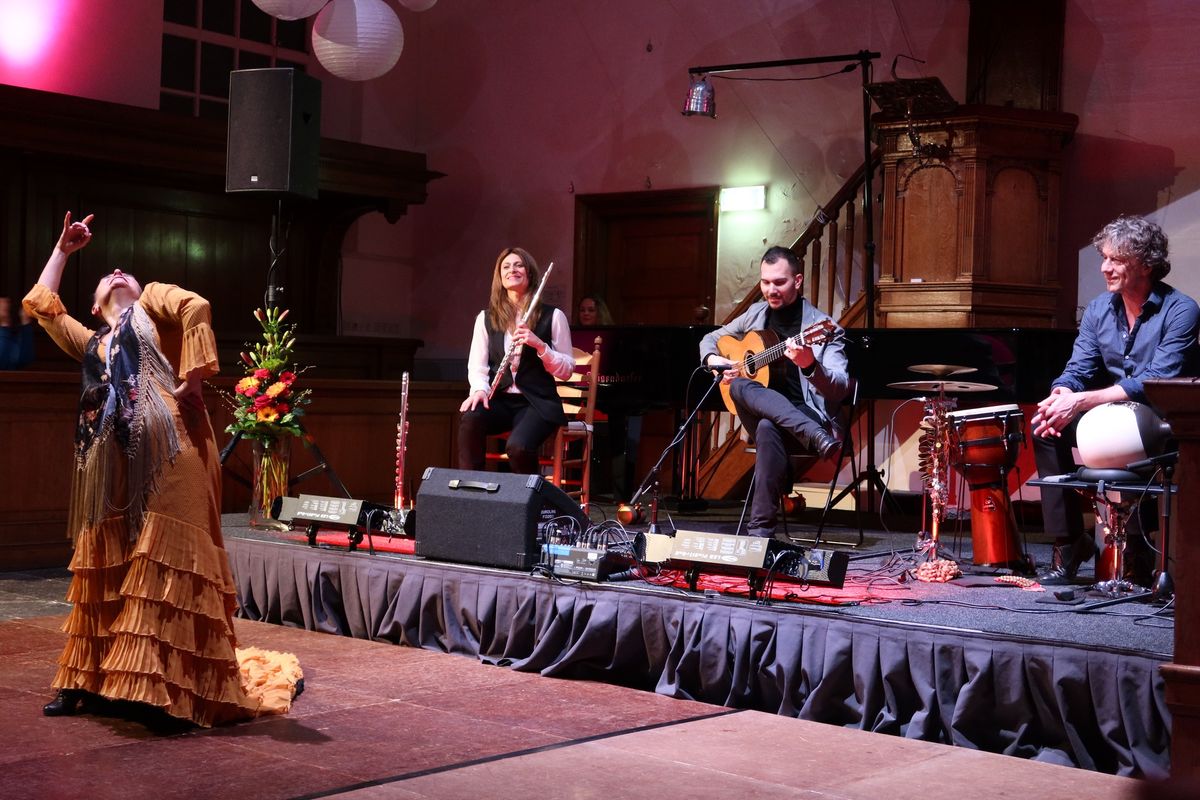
pixel 266 405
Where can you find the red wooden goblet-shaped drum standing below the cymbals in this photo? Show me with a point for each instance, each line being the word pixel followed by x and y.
pixel 987 444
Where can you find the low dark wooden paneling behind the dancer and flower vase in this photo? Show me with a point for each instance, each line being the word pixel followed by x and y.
pixel 353 422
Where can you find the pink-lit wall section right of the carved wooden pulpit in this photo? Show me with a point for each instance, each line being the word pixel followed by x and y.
pixel 1131 75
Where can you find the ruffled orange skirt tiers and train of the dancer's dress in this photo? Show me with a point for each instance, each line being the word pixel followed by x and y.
pixel 155 627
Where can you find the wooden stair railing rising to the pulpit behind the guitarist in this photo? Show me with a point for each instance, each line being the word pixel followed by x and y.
pixel 833 251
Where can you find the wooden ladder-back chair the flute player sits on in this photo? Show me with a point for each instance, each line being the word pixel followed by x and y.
pixel 571 472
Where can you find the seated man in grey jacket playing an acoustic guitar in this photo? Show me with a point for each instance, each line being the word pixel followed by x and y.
pixel 790 408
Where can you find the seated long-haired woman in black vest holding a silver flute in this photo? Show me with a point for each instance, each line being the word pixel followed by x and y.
pixel 518 350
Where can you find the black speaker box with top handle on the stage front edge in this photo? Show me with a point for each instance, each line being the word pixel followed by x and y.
pixel 488 519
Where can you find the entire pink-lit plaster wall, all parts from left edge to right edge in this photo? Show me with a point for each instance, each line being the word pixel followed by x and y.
pixel 523 104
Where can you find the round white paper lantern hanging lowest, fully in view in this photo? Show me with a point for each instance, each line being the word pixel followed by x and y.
pixel 358 40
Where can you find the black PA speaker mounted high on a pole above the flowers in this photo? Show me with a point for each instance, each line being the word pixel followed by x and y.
pixel 274 137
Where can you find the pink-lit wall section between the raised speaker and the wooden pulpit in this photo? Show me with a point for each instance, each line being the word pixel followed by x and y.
pixel 525 105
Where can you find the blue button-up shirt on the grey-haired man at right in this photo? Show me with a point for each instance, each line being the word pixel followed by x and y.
pixel 1162 345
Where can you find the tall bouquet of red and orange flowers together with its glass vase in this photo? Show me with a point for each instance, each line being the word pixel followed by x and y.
pixel 267 410
